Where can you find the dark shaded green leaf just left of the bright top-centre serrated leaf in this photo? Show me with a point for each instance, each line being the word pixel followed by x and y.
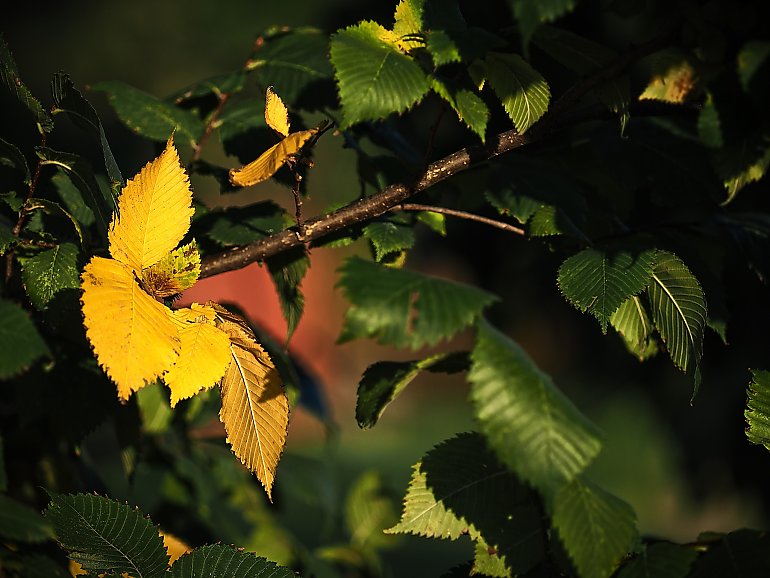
pixel 296 63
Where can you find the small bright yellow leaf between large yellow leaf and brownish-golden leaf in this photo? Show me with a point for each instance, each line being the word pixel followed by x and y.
pixel 204 354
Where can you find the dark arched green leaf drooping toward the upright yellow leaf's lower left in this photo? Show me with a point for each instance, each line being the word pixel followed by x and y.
pixel 101 202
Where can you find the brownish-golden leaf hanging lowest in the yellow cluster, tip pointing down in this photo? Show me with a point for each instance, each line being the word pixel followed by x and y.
pixel 255 409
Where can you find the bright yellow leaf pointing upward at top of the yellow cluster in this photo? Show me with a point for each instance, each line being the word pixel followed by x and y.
pixel 154 212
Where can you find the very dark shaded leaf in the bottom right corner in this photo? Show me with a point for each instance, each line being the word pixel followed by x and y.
pixel 739 553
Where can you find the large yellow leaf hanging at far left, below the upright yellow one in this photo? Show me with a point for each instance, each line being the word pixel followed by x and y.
pixel 132 334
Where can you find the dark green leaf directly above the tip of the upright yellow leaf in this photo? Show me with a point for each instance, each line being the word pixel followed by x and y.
pixel 149 116
